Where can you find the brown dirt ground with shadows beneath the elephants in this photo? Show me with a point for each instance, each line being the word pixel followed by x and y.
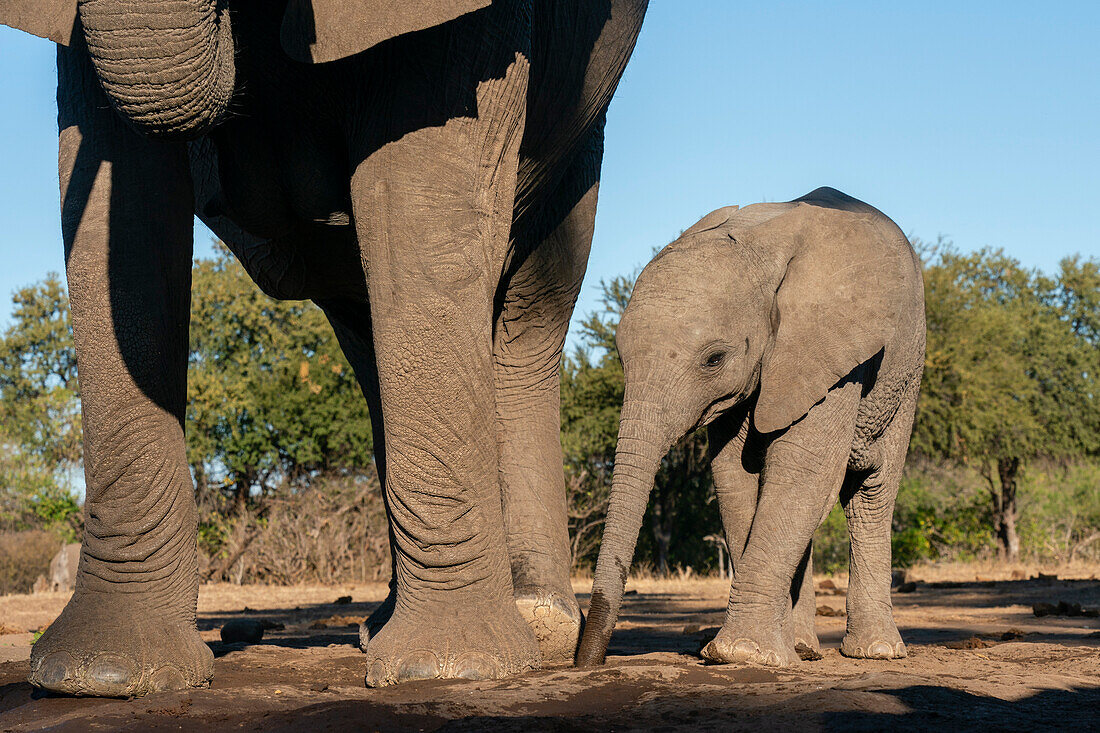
pixel 980 660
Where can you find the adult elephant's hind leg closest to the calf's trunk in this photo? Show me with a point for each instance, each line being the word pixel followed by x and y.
pixel 553 244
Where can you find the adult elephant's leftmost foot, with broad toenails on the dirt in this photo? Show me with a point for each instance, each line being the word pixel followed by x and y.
pixel 114 646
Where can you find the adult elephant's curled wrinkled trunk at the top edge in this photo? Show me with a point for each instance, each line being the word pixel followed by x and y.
pixel 167 65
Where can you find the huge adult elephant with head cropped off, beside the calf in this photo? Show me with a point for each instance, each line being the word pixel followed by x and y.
pixel 427 173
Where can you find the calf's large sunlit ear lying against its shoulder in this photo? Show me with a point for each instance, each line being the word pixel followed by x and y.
pixel 835 309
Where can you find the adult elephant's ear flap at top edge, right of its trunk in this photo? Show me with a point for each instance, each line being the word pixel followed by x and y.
pixel 320 31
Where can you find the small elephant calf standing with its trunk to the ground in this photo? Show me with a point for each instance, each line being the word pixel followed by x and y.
pixel 796 334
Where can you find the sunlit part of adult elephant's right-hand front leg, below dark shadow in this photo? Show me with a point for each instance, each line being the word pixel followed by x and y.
pixel 434 211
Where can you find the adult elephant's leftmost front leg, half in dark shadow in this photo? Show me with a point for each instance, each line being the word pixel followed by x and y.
pixel 129 628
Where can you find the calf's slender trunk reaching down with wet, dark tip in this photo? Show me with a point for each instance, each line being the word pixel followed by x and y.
pixel 644 440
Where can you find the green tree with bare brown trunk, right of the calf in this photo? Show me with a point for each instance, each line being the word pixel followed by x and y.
pixel 1010 373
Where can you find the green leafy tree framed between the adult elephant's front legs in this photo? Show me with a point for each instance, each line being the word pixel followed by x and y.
pixel 272 401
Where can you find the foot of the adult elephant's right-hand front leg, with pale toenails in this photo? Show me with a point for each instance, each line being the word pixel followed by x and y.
pixel 468 643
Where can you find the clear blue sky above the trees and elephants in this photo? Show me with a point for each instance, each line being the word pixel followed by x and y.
pixel 980 122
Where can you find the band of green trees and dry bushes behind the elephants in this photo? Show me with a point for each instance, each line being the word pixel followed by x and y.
pixel 1005 458
